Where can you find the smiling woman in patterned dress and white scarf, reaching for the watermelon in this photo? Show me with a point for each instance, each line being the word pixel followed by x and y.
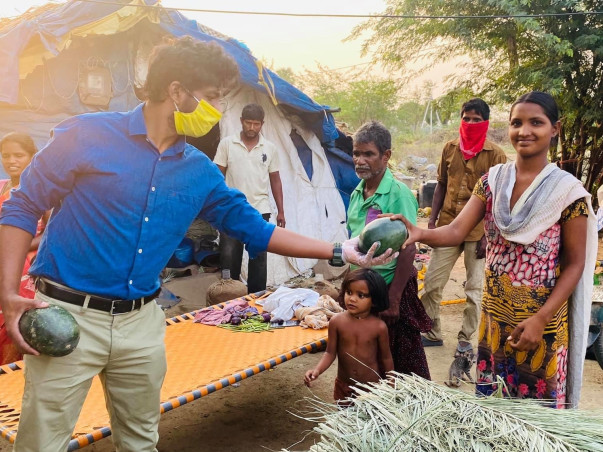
pixel 541 235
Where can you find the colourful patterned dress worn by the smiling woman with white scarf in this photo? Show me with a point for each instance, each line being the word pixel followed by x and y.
pixel 518 281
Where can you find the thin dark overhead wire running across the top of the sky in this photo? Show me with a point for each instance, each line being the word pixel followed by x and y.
pixel 357 16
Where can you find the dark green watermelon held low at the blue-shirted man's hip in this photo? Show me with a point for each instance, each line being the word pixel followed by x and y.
pixel 51 331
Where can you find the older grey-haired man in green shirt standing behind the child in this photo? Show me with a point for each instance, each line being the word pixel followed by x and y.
pixel 379 192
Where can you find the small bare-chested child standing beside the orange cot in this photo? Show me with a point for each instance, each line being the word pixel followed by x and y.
pixel 357 337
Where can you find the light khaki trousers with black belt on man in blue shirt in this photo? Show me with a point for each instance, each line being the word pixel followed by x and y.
pixel 127 352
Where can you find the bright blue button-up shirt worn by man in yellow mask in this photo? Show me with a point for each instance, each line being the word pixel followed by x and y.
pixel 120 207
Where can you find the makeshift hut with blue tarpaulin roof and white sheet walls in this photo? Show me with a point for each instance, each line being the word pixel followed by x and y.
pixel 60 60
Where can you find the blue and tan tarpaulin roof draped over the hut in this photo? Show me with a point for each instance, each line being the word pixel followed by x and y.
pixel 42 54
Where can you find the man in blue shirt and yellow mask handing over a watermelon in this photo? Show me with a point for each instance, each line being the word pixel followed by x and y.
pixel 124 187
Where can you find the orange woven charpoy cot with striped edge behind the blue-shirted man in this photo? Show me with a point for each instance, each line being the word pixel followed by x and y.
pixel 201 359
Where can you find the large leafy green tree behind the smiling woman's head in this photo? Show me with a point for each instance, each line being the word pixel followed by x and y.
pixel 562 55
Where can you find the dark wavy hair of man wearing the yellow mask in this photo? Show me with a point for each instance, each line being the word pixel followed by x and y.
pixel 193 63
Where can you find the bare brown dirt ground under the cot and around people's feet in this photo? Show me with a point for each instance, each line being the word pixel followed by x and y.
pixel 263 412
